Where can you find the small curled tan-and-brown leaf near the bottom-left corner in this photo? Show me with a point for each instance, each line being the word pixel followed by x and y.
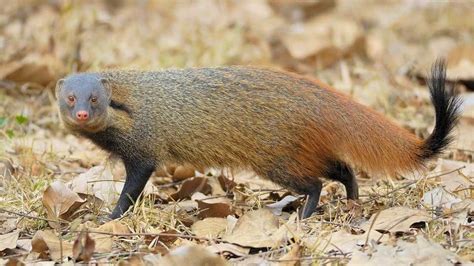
pixel 47 241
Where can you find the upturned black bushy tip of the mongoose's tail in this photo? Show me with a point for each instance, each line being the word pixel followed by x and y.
pixel 446 105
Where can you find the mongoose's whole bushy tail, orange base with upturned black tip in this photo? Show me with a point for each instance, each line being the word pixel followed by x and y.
pixel 392 149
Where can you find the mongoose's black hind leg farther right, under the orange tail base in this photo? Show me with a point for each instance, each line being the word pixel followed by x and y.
pixel 343 173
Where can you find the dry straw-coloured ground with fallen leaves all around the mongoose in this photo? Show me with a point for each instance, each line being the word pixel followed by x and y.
pixel 56 188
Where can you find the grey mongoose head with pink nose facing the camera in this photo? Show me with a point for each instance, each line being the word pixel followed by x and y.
pixel 83 100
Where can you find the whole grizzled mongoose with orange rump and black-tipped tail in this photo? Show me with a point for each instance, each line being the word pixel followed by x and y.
pixel 285 127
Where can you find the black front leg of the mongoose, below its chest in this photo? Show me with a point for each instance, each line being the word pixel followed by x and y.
pixel 138 174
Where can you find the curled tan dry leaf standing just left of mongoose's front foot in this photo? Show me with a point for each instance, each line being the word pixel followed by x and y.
pixel 60 202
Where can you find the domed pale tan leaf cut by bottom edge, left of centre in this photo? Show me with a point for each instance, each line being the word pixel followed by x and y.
pixel 191 256
